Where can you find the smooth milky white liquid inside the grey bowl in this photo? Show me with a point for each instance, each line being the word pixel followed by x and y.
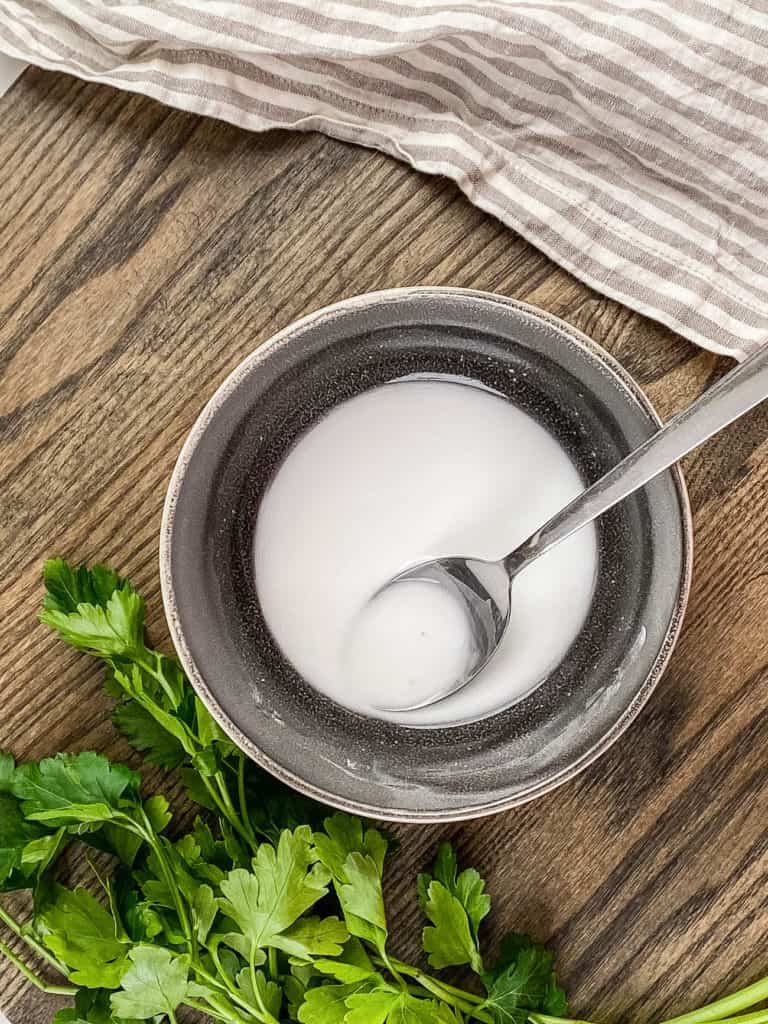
pixel 404 473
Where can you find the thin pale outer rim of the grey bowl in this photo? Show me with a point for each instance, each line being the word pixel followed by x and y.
pixel 243 370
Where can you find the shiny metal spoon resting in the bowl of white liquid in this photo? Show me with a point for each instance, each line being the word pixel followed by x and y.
pixel 485 588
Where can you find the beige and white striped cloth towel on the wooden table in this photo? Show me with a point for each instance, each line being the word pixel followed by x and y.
pixel 626 139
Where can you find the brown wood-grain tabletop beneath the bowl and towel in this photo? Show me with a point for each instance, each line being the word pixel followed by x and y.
pixel 144 252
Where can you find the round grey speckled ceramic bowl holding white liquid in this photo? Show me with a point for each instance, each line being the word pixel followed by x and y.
pixel 383 771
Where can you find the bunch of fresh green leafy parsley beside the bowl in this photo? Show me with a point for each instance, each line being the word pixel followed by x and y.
pixel 270 910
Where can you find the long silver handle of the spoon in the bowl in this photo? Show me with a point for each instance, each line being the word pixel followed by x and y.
pixel 734 396
